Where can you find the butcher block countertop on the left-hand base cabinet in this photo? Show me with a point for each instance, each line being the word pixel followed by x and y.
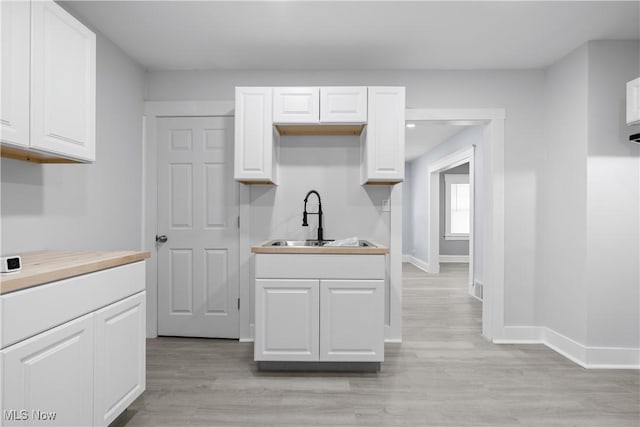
pixel 43 267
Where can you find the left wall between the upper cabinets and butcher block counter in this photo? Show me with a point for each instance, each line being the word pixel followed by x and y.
pixel 84 207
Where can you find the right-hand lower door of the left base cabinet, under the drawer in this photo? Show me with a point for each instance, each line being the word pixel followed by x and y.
pixel 119 373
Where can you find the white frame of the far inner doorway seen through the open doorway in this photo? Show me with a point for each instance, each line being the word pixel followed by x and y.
pixel 433 214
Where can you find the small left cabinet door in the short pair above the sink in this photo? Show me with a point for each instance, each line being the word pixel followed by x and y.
pixel 296 105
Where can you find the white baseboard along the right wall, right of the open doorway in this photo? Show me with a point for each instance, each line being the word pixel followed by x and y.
pixel 587 357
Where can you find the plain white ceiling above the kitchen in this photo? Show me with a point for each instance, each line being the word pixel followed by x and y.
pixel 333 35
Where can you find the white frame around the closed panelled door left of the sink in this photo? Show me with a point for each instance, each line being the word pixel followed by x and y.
pixel 152 111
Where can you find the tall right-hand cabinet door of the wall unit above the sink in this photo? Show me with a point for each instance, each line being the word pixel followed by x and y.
pixel 383 140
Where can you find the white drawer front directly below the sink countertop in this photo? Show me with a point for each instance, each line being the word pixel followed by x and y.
pixel 327 266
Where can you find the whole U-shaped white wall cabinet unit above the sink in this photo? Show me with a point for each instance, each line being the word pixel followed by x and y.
pixel 377 114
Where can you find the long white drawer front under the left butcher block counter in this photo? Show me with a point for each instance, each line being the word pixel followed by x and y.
pixel 28 312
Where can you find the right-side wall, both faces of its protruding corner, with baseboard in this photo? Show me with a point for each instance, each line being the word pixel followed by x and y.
pixel 589 205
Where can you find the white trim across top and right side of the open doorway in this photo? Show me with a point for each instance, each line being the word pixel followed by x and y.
pixel 493 224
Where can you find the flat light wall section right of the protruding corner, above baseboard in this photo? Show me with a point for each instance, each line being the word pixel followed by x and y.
pixel 613 200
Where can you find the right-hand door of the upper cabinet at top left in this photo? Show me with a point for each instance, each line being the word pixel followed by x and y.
pixel 63 83
